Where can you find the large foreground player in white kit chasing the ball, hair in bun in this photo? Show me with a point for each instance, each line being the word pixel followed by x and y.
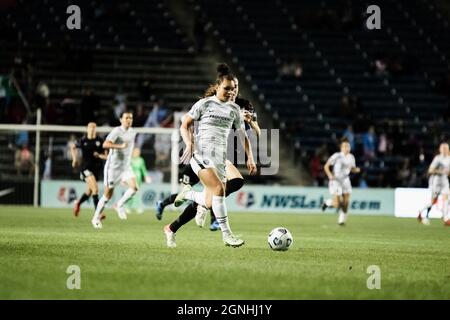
pixel 216 115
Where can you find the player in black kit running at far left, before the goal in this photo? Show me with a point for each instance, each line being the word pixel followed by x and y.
pixel 93 154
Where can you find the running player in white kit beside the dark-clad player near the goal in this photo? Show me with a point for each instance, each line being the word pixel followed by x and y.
pixel 118 167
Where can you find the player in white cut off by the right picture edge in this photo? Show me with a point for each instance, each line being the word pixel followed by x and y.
pixel 438 183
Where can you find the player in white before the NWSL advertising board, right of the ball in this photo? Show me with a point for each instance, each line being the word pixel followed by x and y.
pixel 339 184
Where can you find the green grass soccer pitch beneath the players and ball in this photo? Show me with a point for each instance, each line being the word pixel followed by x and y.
pixel 129 259
